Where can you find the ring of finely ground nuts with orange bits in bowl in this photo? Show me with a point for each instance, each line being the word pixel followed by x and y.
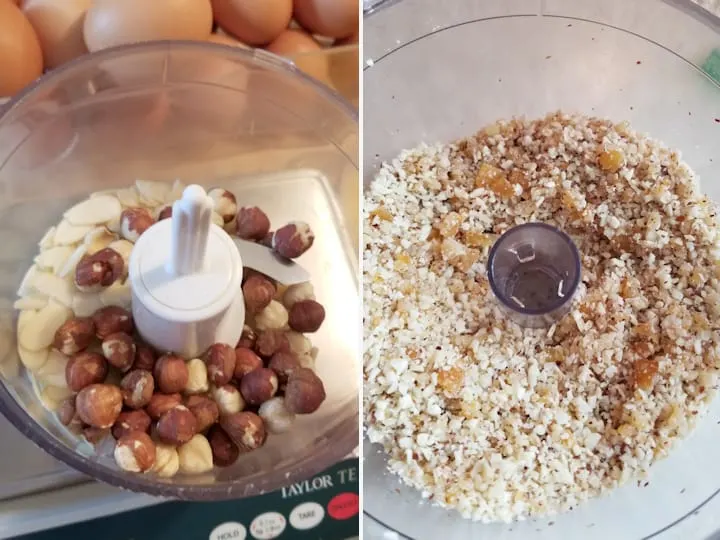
pixel 501 422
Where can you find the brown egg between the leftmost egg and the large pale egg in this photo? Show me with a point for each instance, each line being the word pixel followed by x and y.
pixel 59 27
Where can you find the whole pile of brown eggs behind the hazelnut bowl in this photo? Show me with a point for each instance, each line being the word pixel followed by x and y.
pixel 37 35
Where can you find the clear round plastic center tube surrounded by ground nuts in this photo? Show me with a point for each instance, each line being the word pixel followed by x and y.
pixel 534 271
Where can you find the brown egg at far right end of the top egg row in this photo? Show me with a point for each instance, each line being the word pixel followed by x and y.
pixel 329 18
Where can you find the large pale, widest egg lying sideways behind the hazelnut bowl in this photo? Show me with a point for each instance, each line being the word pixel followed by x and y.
pixel 109 23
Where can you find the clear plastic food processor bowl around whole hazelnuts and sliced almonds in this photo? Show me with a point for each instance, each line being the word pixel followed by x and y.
pixel 208 114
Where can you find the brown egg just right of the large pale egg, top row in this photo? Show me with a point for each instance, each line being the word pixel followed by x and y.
pixel 255 22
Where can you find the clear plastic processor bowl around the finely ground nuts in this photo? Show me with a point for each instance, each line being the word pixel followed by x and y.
pixel 437 71
